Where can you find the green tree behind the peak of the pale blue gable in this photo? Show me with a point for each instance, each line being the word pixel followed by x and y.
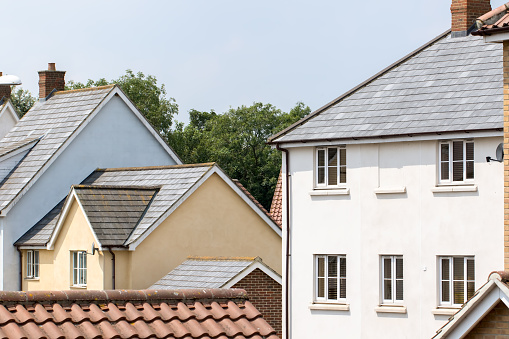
pixel 145 93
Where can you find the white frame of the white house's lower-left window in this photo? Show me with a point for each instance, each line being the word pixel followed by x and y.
pixel 341 280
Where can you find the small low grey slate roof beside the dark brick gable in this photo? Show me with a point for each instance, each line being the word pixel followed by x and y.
pixel 203 273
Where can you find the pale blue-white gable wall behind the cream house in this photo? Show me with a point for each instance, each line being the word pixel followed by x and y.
pixel 114 138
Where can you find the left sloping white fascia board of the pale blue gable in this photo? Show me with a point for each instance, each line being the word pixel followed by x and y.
pixel 61 149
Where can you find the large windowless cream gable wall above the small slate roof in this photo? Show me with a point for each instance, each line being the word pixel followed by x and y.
pixel 213 221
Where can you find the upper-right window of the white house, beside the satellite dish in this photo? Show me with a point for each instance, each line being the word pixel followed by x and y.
pixel 456 161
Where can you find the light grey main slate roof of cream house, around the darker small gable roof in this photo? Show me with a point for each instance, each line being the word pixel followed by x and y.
pixel 173 183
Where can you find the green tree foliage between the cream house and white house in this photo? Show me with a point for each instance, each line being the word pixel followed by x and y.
pixel 236 140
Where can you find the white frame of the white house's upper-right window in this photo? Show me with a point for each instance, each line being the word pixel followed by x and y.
pixel 450 162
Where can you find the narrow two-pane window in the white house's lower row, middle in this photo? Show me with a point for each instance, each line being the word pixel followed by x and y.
pixel 392 279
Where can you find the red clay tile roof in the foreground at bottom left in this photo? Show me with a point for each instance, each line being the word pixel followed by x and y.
pixel 212 313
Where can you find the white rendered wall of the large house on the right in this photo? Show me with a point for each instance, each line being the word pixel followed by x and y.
pixel 418 224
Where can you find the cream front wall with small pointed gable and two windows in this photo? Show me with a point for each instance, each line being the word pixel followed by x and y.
pixel 56 271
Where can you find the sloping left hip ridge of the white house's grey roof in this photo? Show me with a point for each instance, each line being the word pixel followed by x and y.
pixel 271 139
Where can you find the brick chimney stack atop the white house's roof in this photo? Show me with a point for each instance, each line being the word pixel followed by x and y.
pixel 464 13
